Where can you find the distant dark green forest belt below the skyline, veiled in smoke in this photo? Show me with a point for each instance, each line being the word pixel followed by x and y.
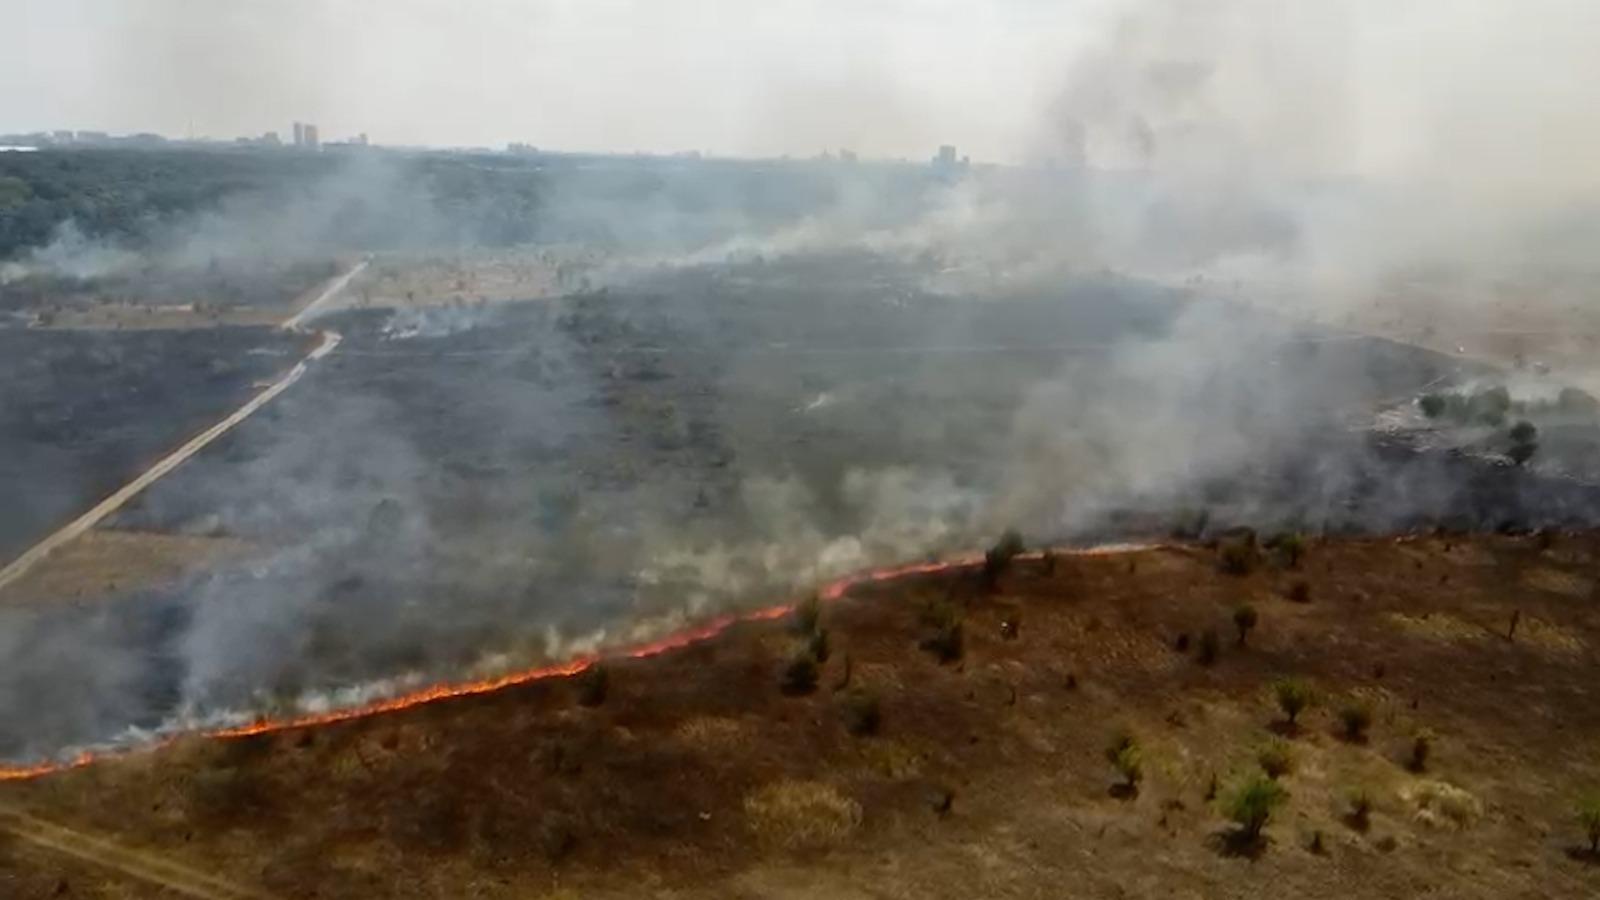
pixel 385 199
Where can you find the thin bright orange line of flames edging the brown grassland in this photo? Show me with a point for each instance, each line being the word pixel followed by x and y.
pixel 694 635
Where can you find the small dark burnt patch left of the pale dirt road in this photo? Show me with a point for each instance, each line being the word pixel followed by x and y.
pixel 84 412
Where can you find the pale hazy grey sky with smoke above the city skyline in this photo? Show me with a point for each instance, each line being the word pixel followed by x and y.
pixel 1327 86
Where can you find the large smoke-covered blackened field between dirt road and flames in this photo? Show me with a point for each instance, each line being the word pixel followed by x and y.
pixel 690 440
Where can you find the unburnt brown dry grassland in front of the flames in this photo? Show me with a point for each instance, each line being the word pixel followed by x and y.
pixel 698 777
